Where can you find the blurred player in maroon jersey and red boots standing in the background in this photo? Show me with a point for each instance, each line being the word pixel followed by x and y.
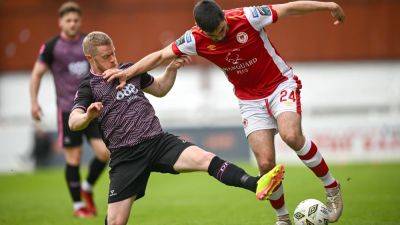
pixel 63 56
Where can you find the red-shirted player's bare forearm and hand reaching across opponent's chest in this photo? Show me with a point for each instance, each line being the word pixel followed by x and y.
pixel 148 63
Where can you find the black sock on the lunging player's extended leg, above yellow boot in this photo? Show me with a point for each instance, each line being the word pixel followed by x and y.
pixel 231 175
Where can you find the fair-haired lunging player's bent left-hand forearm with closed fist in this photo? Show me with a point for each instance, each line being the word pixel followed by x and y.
pixel 79 119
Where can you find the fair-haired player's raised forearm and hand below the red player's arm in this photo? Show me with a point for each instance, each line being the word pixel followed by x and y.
pixel 163 84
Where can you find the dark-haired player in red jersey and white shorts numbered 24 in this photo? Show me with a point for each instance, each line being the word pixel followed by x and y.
pixel 266 87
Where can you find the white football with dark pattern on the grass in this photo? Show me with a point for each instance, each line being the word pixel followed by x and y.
pixel 311 212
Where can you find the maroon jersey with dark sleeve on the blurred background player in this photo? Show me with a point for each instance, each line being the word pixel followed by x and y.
pixel 68 65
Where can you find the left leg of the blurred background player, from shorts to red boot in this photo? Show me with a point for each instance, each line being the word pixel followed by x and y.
pixel 71 142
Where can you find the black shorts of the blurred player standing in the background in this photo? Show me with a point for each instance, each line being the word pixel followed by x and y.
pixel 68 138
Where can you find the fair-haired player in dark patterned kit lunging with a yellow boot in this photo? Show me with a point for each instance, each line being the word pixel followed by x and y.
pixel 133 133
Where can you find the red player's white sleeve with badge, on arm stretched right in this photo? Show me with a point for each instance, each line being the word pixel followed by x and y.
pixel 260 16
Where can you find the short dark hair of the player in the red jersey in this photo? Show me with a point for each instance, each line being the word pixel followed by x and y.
pixel 208 15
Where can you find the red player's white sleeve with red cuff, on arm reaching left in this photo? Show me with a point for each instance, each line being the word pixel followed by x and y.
pixel 185 45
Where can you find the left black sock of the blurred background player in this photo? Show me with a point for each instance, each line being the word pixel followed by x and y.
pixel 74 182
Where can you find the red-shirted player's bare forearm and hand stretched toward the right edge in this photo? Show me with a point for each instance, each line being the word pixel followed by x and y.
pixel 304 7
